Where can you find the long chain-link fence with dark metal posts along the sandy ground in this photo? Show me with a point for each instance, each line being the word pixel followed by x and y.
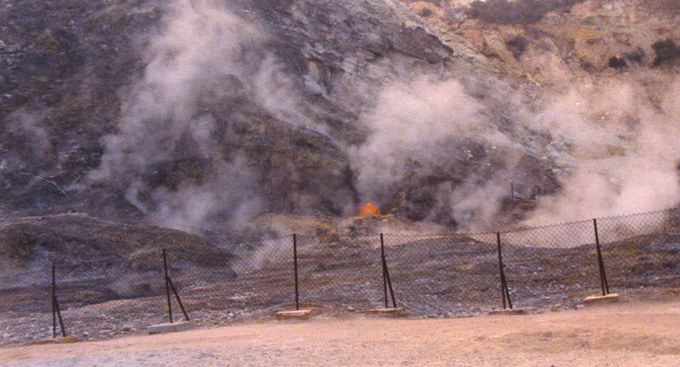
pixel 430 275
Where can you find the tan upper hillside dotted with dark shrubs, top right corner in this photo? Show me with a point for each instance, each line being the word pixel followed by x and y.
pixel 564 38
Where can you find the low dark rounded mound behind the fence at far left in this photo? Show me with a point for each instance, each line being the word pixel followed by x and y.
pixel 77 241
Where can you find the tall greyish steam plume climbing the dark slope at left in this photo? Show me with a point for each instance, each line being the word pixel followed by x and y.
pixel 203 51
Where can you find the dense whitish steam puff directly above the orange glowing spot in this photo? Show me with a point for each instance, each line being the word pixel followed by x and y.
pixel 408 123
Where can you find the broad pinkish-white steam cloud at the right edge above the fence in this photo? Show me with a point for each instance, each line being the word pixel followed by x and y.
pixel 622 147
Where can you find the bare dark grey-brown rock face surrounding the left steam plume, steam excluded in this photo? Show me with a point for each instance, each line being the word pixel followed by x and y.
pixel 66 85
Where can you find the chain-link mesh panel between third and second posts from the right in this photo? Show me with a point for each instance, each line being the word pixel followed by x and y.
pixel 443 274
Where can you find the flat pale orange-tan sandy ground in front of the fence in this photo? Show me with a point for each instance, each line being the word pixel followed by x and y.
pixel 628 334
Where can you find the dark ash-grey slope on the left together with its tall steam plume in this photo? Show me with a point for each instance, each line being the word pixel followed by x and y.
pixel 199 109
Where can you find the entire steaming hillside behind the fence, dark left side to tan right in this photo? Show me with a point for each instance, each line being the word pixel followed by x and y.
pixel 202 115
